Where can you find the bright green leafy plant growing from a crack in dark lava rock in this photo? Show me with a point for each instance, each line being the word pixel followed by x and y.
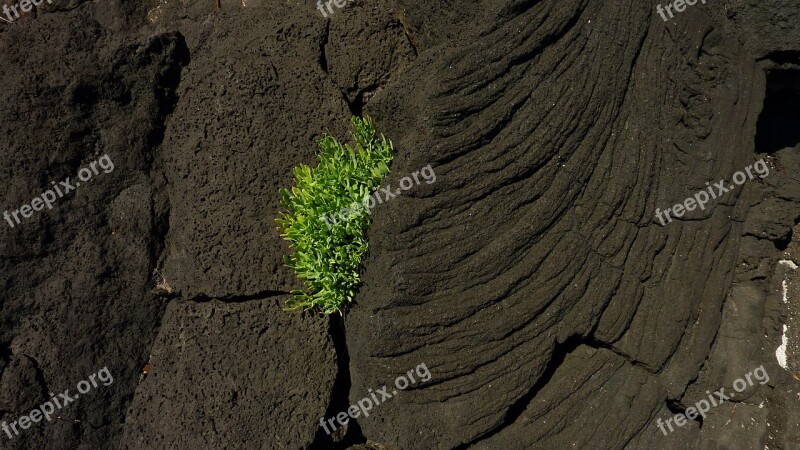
pixel 327 254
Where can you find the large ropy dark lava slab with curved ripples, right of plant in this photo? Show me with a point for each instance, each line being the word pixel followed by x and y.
pixel 532 278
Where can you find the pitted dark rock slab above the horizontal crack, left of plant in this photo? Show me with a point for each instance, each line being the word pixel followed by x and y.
pixel 239 115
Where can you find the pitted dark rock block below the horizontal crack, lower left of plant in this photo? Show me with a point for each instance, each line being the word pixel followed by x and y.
pixel 228 375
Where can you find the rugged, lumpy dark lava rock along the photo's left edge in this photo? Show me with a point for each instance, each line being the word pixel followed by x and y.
pixel 77 293
